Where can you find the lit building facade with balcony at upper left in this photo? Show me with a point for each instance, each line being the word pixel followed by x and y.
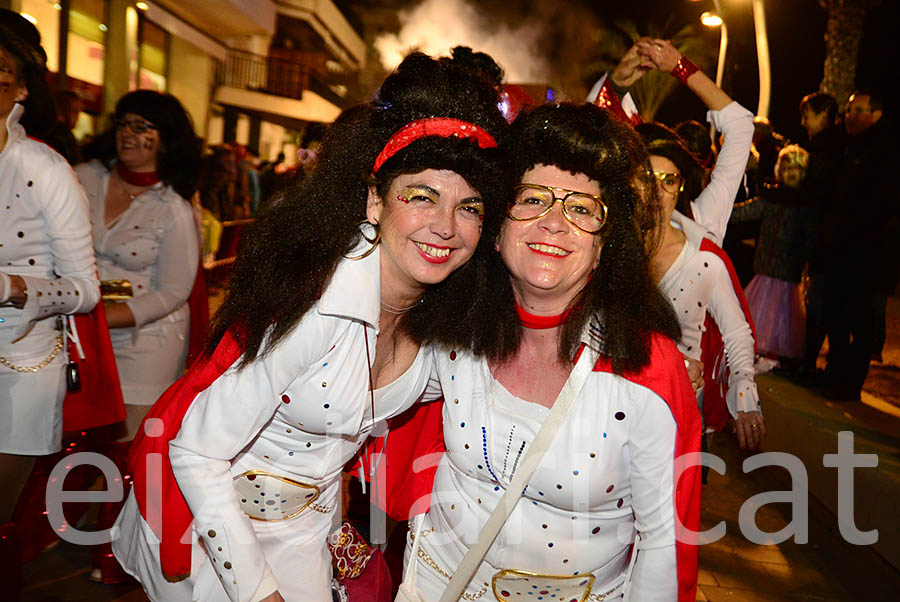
pixel 252 71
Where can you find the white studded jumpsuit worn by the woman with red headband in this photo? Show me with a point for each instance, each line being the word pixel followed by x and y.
pixel 301 412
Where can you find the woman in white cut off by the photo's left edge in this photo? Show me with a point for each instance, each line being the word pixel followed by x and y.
pixel 47 268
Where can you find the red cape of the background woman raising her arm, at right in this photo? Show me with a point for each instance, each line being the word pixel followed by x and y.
pixel 715 409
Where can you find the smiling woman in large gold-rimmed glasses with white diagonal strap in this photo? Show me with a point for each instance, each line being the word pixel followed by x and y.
pixel 597 518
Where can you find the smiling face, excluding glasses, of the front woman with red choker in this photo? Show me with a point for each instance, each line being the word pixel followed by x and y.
pixel 549 259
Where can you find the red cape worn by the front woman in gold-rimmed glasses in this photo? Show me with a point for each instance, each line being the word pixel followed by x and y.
pixel 418 433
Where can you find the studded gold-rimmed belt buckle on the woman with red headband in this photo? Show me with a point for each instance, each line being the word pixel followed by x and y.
pixel 269 497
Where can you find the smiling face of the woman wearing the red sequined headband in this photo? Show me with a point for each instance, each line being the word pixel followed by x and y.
pixel 430 225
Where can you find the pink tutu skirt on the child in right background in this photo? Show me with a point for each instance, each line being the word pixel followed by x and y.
pixel 779 316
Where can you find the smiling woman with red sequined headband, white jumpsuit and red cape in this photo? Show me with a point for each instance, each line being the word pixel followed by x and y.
pixel 318 342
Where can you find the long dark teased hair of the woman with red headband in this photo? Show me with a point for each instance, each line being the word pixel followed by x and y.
pixel 289 255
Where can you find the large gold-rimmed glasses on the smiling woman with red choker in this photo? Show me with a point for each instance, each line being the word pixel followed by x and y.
pixel 587 212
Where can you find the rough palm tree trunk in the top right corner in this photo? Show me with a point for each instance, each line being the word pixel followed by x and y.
pixel 843 34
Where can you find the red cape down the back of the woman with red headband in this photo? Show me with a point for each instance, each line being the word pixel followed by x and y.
pixel 154 482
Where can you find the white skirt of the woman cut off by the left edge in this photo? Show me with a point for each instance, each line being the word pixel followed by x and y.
pixel 31 402
